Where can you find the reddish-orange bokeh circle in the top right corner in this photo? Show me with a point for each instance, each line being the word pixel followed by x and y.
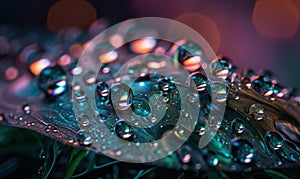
pixel 276 19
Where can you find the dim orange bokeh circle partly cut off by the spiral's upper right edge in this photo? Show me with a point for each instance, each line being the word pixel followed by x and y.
pixel 204 26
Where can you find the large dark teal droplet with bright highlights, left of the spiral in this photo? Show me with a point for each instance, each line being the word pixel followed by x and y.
pixel 52 80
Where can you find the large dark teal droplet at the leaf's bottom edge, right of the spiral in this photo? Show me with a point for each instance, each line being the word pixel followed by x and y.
pixel 242 150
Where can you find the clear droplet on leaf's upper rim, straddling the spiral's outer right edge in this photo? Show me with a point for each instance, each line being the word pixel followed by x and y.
pixel 221 67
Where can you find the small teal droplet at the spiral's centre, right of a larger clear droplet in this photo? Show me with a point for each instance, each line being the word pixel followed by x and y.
pixel 140 107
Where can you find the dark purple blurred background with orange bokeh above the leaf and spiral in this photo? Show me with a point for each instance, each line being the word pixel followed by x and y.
pixel 262 34
